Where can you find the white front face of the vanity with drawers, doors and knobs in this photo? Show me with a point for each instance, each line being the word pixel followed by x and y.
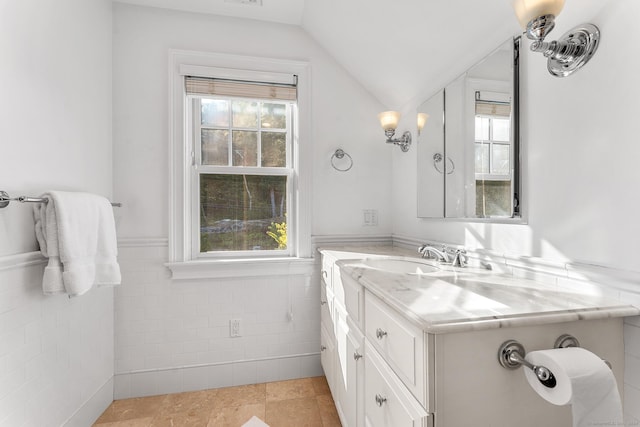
pixel 360 373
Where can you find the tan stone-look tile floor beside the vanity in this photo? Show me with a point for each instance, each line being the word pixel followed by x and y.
pixel 294 403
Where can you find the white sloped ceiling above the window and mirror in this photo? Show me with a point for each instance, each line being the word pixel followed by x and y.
pixel 400 50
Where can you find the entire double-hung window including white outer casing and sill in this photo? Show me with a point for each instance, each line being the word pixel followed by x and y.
pixel 240 156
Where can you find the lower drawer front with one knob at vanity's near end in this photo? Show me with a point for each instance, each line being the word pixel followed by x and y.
pixel 387 402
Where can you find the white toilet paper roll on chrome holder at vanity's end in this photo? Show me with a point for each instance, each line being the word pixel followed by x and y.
pixel 583 380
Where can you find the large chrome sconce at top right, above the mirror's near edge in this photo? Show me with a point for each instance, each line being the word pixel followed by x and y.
pixel 574 48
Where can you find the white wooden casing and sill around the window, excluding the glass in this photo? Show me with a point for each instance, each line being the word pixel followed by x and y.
pixel 183 262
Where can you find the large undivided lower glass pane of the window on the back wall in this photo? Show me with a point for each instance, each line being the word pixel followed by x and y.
pixel 242 212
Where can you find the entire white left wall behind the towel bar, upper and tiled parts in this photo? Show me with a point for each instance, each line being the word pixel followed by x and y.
pixel 56 354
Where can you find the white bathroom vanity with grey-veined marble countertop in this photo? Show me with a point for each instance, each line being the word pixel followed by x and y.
pixel 407 342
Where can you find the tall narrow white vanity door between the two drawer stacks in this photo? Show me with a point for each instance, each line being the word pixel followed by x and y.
pixel 349 371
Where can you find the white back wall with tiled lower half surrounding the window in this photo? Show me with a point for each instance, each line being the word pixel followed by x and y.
pixel 175 336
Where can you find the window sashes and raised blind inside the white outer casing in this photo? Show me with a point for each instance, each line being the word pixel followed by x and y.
pixel 242 171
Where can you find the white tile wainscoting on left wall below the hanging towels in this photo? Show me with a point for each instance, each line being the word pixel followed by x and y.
pixel 56 352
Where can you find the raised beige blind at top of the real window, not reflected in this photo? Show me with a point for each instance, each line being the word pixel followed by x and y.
pixel 242 89
